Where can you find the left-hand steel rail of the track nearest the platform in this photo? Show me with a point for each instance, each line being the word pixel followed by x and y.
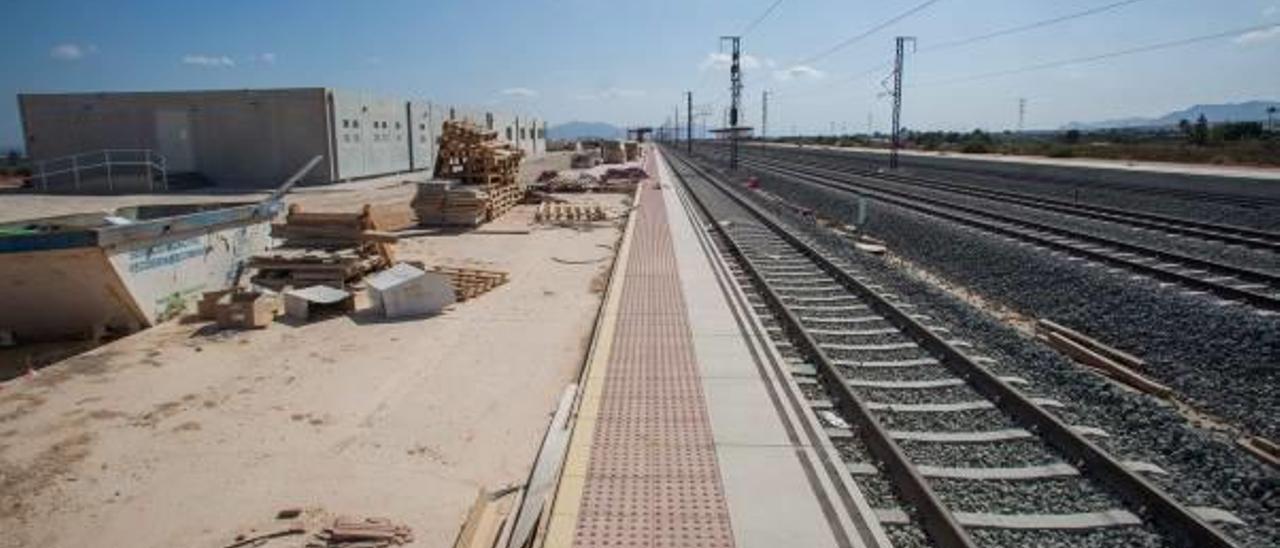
pixel 936 519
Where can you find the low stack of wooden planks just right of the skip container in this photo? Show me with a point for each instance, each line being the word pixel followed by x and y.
pixel 324 249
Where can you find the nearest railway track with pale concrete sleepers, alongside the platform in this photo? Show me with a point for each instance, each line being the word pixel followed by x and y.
pixel 968 454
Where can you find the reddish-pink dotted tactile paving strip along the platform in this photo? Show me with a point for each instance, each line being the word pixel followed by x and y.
pixel 652 478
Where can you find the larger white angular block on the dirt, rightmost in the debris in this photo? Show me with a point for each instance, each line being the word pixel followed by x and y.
pixel 408 291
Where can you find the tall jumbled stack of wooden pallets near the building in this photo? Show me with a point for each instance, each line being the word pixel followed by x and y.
pixel 474 158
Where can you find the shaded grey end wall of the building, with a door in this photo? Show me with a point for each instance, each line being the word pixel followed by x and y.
pixel 244 138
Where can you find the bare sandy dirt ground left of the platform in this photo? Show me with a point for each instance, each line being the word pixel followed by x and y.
pixel 184 437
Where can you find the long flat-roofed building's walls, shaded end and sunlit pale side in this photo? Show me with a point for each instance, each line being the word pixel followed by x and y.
pixel 259 138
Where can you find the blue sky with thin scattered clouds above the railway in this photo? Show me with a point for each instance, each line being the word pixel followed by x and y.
pixel 630 63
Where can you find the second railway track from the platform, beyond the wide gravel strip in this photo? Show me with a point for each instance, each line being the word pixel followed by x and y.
pixel 1258 289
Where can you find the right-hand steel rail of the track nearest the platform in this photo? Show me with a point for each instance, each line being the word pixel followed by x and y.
pixel 1145 497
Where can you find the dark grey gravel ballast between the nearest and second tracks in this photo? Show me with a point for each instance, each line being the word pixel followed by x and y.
pixel 1224 364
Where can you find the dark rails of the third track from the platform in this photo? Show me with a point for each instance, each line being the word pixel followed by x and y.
pixel 1208 231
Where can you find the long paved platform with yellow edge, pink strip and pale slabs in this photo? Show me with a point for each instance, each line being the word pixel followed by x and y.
pixel 688 430
